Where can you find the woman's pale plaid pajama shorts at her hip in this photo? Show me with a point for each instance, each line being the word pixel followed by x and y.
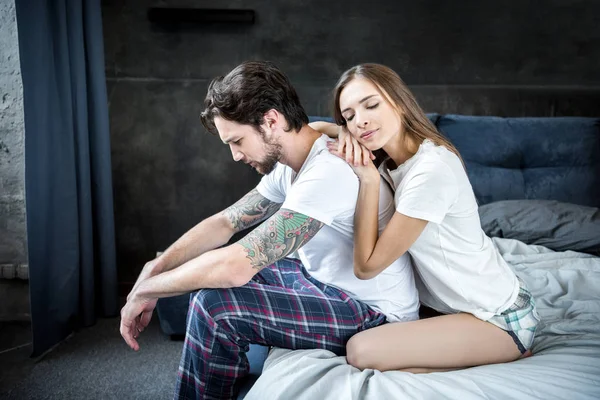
pixel 520 320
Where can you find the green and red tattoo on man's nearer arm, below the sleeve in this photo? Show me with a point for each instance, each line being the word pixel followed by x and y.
pixel 281 235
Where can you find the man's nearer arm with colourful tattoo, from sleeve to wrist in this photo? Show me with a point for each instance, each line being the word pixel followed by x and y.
pixel 235 265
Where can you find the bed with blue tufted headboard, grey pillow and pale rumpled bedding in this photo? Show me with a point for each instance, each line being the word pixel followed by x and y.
pixel 538 184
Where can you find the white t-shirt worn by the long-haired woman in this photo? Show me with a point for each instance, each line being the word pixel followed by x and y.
pixel 459 269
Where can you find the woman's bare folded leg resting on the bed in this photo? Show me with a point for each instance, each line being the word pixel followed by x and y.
pixel 435 344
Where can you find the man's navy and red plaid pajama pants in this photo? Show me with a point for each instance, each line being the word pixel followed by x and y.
pixel 281 306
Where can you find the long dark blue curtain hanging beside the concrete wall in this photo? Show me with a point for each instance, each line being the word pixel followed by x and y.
pixel 70 225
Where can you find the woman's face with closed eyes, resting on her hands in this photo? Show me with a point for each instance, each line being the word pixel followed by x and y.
pixel 370 117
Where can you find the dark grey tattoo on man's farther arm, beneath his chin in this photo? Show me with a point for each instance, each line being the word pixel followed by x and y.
pixel 249 210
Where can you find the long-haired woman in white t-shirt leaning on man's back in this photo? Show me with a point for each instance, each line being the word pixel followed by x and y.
pixel 491 316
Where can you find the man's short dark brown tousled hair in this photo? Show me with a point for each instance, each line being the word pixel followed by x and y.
pixel 245 94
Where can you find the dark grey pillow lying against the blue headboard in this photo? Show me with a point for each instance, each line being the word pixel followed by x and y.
pixel 558 226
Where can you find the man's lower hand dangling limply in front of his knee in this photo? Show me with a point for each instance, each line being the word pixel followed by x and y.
pixel 135 317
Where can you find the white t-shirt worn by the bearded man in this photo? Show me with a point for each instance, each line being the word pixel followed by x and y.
pixel 326 189
